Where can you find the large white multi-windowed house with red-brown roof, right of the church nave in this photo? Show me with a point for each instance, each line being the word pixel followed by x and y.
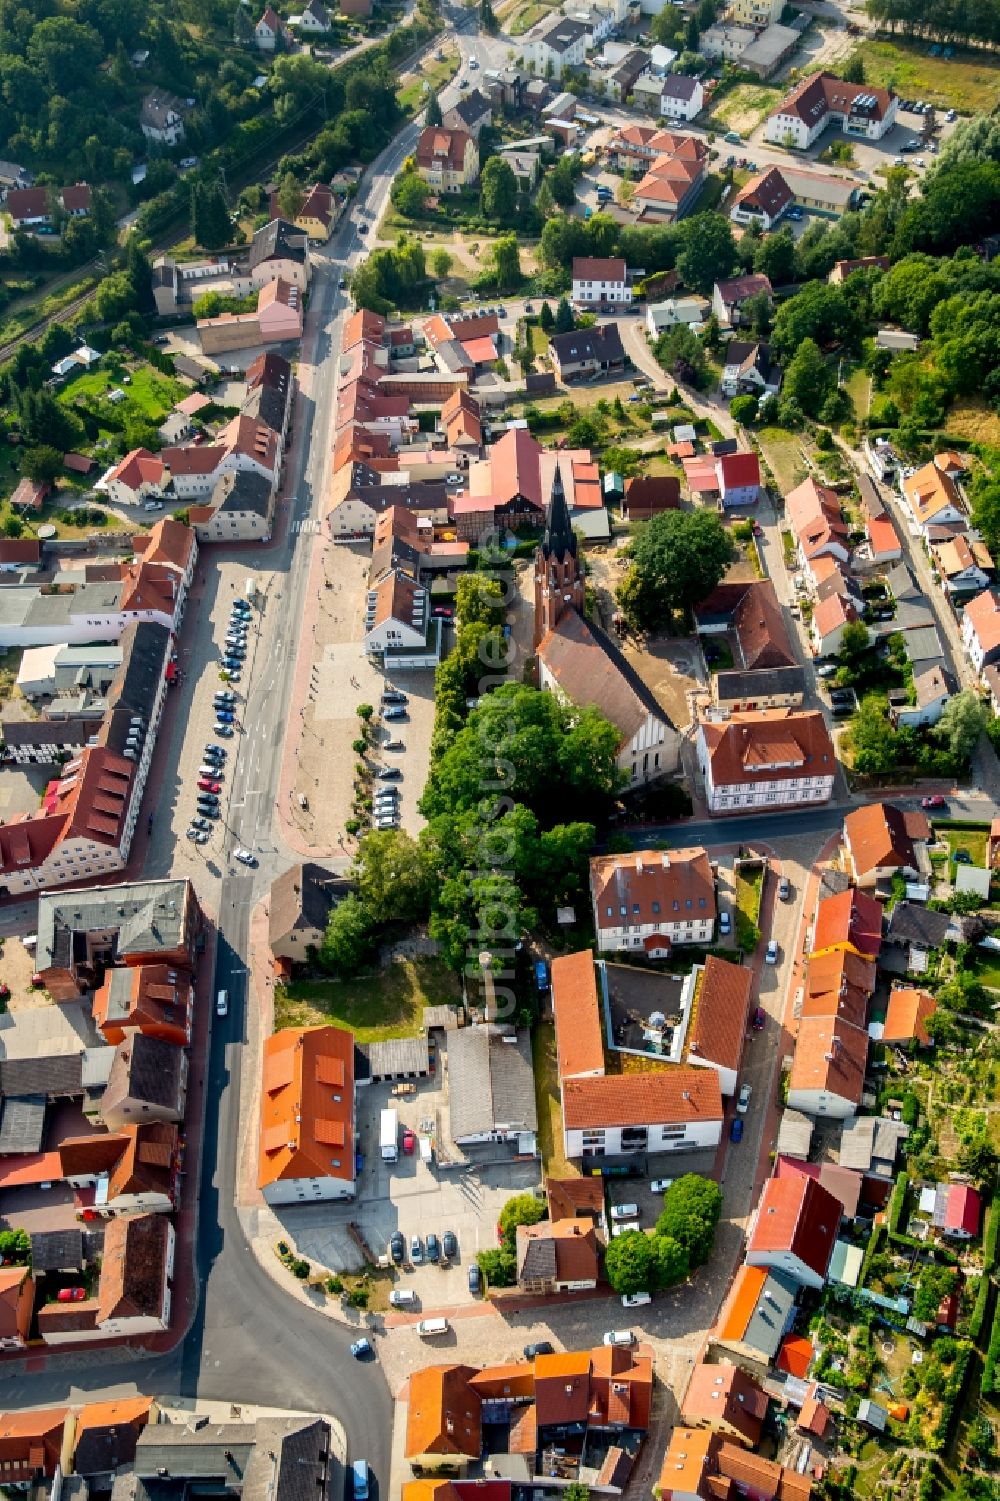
pixel 770 759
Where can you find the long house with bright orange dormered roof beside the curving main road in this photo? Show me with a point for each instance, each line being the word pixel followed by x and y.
pixel 307 1116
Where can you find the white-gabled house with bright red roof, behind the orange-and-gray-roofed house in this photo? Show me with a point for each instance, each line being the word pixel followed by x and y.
pixel 795 1229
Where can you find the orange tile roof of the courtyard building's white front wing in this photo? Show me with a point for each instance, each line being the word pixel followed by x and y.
pixel 643 1099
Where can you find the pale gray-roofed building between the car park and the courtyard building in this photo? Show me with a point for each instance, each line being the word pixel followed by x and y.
pixel 492 1081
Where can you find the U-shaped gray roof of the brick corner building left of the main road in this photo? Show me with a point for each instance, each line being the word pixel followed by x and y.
pixel 148 916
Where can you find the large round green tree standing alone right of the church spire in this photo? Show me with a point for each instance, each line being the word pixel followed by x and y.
pixel 678 559
